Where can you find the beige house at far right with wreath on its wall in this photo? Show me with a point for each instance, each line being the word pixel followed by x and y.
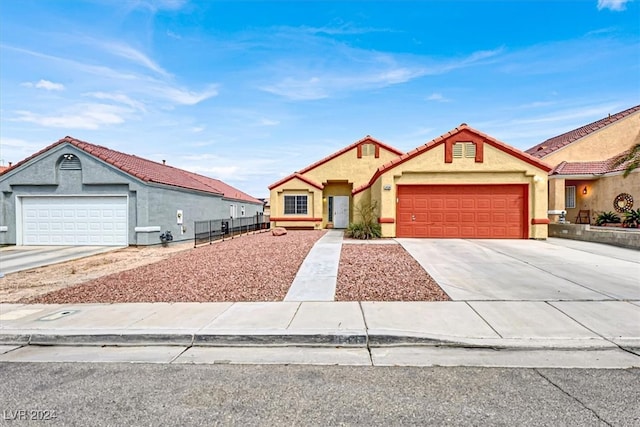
pixel 585 176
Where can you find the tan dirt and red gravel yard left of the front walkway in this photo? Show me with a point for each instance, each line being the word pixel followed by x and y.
pixel 256 267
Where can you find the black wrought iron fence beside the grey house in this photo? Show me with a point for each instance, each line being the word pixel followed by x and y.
pixel 220 229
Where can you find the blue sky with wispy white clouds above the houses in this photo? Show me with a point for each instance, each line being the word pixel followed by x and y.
pixel 250 91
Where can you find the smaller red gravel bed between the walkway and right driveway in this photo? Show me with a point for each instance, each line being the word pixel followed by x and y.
pixel 383 273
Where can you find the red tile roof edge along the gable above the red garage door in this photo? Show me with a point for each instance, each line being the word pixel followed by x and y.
pixel 440 140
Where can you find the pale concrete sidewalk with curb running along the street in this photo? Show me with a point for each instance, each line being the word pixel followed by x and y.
pixel 489 324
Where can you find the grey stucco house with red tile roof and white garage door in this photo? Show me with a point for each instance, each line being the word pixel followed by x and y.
pixel 77 193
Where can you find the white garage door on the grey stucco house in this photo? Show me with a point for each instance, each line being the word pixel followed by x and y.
pixel 74 221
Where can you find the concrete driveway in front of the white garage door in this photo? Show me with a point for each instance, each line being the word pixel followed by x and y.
pixel 18 258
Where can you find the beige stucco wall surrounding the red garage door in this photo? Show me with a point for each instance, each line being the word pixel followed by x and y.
pixel 498 167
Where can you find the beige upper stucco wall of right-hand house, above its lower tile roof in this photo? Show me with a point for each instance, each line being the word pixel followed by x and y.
pixel 600 145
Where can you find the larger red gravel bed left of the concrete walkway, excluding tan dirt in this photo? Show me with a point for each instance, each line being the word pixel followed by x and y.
pixel 258 267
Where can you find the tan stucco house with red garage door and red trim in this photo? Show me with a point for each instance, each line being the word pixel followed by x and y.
pixel 463 184
